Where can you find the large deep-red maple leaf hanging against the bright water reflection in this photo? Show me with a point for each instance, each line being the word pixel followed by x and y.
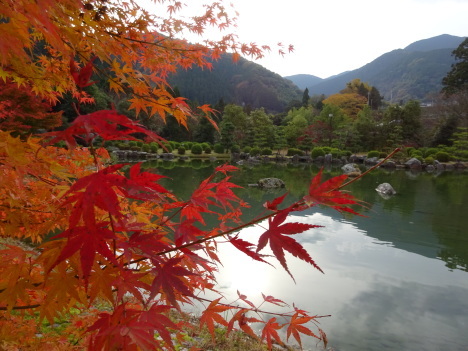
pixel 280 242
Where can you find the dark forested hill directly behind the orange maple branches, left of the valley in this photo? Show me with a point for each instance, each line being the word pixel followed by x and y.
pixel 242 82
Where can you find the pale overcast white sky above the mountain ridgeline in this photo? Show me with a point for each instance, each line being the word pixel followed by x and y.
pixel 333 36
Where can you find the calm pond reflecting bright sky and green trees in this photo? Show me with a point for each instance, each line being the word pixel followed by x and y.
pixel 395 278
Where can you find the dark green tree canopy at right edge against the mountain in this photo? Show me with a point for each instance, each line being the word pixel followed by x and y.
pixel 457 79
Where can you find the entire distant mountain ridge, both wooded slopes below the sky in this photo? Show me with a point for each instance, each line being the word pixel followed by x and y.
pixel 415 72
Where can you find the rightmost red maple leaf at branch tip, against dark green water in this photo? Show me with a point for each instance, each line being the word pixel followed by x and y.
pixel 326 193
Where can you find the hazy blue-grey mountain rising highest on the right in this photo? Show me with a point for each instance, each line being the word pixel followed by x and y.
pixel 414 72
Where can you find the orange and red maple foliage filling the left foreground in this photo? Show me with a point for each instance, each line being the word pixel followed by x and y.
pixel 105 246
